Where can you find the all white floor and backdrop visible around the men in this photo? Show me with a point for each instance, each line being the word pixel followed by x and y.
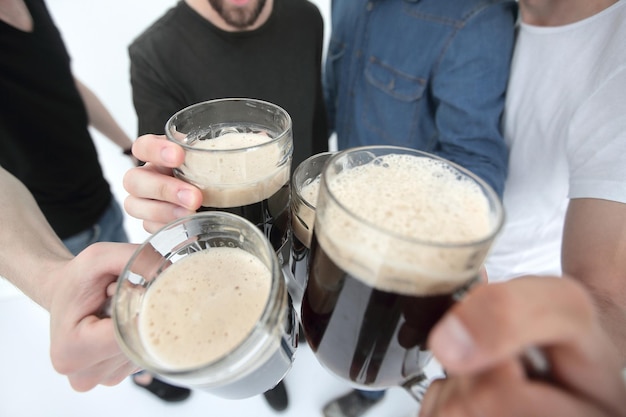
pixel 97 34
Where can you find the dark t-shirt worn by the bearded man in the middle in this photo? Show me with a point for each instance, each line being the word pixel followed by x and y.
pixel 183 59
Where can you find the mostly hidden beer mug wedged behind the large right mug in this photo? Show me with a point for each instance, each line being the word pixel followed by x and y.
pixel 304 189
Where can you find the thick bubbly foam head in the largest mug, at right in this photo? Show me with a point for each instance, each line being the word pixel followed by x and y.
pixel 421 216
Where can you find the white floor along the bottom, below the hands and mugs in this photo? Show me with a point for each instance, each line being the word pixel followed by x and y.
pixel 29 387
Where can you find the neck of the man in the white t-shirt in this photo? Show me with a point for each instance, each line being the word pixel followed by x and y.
pixel 560 12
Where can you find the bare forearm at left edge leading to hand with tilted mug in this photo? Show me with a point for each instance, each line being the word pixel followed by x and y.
pixel 30 248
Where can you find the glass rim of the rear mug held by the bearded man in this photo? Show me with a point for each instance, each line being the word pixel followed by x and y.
pixel 170 123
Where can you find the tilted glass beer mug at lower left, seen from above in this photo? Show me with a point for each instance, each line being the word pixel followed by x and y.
pixel 202 303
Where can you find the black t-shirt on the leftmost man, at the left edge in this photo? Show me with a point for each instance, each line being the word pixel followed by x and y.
pixel 44 136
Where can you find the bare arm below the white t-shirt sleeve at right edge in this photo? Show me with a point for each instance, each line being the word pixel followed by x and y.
pixel 594 253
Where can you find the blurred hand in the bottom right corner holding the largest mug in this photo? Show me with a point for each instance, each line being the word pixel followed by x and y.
pixel 482 341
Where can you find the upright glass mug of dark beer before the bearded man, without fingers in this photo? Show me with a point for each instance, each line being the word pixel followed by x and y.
pixel 238 151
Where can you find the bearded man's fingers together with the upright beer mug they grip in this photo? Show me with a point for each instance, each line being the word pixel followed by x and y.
pixel 236 157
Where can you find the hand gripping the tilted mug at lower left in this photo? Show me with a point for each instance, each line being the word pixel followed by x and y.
pixel 83 344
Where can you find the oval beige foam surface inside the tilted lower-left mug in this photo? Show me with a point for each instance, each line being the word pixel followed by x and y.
pixel 203 306
